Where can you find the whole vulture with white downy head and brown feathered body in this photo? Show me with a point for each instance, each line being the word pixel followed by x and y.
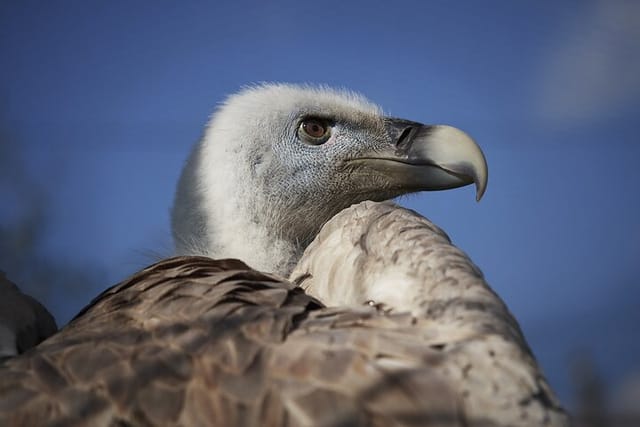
pixel 299 295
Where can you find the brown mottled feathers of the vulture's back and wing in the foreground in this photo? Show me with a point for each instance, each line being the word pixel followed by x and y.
pixel 193 341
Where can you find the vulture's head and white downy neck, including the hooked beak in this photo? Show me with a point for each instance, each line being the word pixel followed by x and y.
pixel 278 161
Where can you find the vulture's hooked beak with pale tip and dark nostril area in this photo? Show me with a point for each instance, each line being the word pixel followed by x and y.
pixel 425 157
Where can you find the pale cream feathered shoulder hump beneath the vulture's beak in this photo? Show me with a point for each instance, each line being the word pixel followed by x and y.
pixel 407 266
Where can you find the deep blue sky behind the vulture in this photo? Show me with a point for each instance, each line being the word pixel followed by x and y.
pixel 103 101
